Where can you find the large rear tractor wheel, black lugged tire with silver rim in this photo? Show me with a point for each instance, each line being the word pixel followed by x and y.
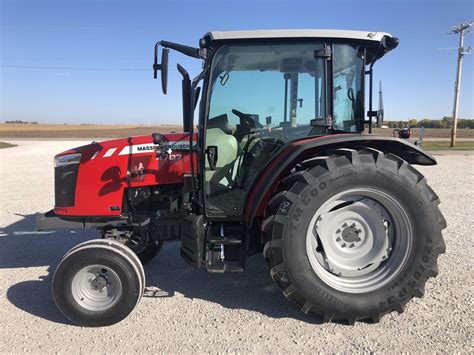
pixel 353 235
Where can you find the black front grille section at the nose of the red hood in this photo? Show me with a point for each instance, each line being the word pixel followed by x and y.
pixel 65 178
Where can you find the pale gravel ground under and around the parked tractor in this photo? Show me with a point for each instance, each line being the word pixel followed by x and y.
pixel 188 310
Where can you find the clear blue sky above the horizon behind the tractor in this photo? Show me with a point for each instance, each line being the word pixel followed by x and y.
pixel 67 35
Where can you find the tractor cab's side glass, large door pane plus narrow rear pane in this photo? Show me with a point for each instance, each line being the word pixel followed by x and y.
pixel 263 96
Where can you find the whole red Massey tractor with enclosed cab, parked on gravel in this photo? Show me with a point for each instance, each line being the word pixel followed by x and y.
pixel 349 229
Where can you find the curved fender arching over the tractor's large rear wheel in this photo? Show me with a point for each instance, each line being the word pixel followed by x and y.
pixel 300 150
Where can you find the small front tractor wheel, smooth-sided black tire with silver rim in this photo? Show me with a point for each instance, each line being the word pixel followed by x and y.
pixel 97 285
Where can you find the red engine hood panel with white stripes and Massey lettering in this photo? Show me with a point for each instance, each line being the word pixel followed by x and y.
pixel 107 168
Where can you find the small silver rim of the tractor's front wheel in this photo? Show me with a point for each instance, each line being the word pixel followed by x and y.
pixel 96 287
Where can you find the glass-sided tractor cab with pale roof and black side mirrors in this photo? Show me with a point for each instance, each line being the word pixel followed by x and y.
pixel 264 89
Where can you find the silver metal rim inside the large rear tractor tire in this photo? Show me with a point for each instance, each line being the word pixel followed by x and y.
pixel 359 240
